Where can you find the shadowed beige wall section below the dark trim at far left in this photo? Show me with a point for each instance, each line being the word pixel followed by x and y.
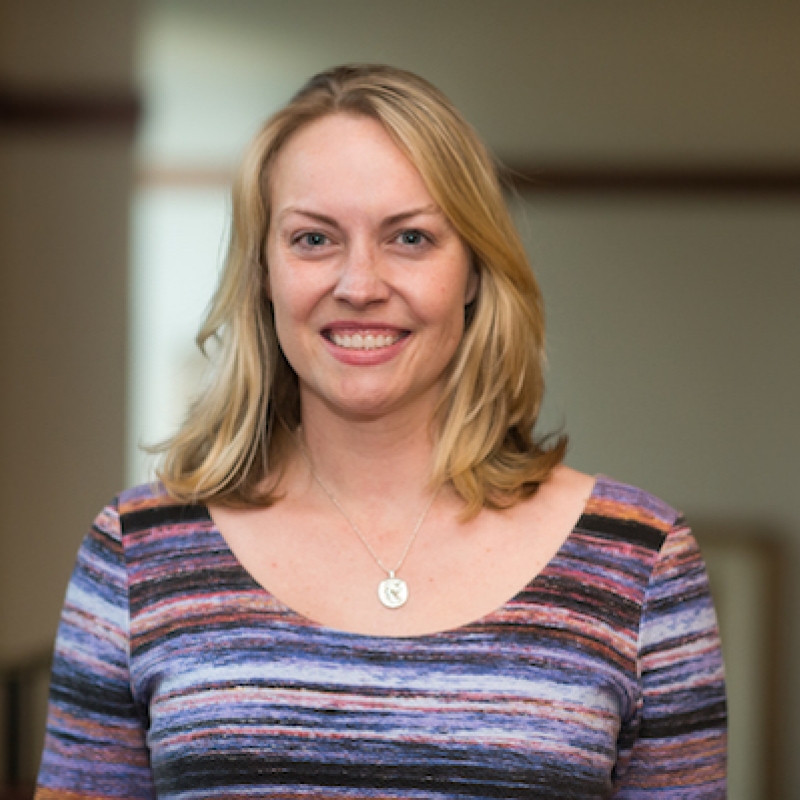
pixel 63 208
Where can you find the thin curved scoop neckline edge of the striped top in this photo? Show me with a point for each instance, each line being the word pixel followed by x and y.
pixel 301 621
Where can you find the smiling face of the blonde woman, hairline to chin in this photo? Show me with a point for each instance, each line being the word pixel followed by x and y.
pixel 367 278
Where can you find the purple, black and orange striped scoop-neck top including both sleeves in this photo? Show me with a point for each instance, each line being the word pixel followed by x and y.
pixel 176 675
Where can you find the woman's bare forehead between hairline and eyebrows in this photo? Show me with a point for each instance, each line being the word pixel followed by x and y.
pixel 345 161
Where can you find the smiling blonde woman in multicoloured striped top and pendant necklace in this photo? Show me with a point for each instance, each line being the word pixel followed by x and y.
pixel 360 575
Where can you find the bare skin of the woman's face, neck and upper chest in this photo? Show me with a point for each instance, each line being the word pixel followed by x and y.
pixel 358 247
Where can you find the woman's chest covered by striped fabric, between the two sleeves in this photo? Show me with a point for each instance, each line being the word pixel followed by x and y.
pixel 528 701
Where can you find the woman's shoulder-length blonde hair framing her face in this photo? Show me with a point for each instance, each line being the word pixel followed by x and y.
pixel 233 447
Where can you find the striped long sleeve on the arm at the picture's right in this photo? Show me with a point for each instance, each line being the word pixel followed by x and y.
pixel 676 745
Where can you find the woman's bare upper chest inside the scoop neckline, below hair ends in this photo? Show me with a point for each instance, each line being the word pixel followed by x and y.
pixel 450 573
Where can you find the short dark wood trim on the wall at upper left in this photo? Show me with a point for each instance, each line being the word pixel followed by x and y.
pixel 54 110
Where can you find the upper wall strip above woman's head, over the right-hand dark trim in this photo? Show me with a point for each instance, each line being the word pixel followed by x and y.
pixel 684 81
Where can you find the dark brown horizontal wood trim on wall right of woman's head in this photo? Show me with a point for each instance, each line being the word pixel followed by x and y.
pixel 654 178
